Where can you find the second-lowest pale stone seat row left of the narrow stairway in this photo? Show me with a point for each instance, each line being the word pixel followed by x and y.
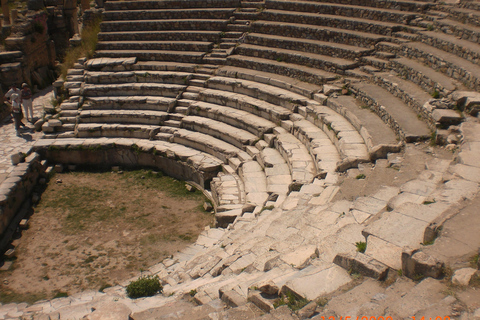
pixel 148 117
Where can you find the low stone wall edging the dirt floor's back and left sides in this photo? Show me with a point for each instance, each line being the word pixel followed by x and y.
pixel 16 190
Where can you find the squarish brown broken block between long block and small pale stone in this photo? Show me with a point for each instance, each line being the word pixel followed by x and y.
pixel 416 264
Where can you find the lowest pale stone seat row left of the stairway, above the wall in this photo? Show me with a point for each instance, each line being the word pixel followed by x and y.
pixel 97 130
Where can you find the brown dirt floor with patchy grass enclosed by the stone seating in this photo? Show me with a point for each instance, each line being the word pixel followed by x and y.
pixel 92 230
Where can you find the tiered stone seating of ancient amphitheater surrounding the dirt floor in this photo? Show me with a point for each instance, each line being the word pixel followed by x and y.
pixel 277 108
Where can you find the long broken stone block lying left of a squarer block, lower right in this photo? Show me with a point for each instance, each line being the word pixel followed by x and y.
pixel 361 263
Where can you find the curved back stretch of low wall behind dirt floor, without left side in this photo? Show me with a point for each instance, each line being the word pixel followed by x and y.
pixel 178 160
